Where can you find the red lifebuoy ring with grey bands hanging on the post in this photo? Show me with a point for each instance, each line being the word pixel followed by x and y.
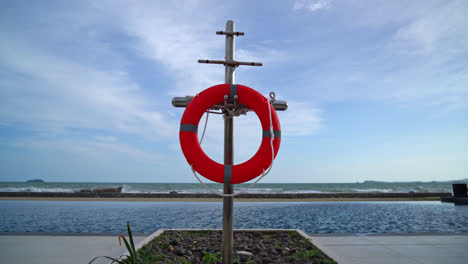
pixel 209 168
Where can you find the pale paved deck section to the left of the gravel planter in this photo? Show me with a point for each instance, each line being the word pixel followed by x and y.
pixel 20 249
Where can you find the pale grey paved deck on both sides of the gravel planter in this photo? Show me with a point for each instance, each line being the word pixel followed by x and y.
pixel 351 249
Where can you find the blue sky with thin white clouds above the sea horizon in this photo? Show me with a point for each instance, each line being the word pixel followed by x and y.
pixel 377 90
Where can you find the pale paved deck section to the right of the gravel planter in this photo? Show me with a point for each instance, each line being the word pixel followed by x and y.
pixel 427 249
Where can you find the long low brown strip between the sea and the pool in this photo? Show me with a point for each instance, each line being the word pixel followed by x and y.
pixel 209 195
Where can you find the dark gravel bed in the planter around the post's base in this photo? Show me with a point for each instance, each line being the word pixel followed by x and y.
pixel 206 247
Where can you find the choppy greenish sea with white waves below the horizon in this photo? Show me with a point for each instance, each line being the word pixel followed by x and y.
pixel 358 187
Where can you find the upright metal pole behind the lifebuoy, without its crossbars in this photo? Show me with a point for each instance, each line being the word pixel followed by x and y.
pixel 228 153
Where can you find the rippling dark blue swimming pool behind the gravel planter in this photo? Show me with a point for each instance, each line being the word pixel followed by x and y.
pixel 312 217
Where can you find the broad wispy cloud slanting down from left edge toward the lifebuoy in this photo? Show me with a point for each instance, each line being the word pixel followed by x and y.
pixel 56 94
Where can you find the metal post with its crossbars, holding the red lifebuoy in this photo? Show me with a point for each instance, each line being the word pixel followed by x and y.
pixel 230 66
